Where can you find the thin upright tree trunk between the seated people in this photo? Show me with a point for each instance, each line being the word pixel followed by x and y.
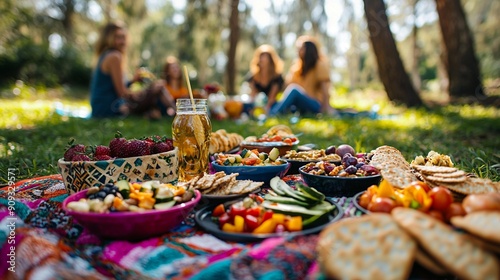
pixel 234 27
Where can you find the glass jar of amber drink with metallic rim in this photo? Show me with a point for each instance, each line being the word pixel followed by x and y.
pixel 191 130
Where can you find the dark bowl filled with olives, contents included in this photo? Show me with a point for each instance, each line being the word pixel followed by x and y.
pixel 352 176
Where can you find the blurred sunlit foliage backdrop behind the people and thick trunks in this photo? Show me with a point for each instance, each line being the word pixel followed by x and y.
pixel 50 42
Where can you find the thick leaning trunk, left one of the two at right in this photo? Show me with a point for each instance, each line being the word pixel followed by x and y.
pixel 391 71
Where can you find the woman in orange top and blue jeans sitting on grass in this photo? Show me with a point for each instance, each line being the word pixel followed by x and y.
pixel 307 83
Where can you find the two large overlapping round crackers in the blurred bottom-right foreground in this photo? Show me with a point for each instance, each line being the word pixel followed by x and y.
pixel 386 246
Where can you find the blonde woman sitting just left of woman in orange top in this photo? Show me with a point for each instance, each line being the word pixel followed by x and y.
pixel 266 69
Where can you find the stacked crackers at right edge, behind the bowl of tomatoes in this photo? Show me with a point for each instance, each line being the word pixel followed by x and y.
pixel 456 180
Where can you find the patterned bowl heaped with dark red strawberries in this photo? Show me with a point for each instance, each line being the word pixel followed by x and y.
pixel 149 158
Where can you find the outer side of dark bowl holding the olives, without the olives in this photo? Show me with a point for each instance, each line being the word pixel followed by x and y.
pixel 339 186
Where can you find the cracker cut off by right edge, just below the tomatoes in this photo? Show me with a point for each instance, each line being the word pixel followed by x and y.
pixel 485 224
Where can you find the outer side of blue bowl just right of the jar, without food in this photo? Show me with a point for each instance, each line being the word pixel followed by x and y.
pixel 262 173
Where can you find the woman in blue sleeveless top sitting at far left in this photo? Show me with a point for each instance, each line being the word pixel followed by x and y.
pixel 109 92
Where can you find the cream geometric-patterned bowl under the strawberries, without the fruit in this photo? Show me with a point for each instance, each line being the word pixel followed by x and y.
pixel 81 175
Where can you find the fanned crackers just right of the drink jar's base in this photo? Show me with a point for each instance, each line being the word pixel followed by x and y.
pixel 221 184
